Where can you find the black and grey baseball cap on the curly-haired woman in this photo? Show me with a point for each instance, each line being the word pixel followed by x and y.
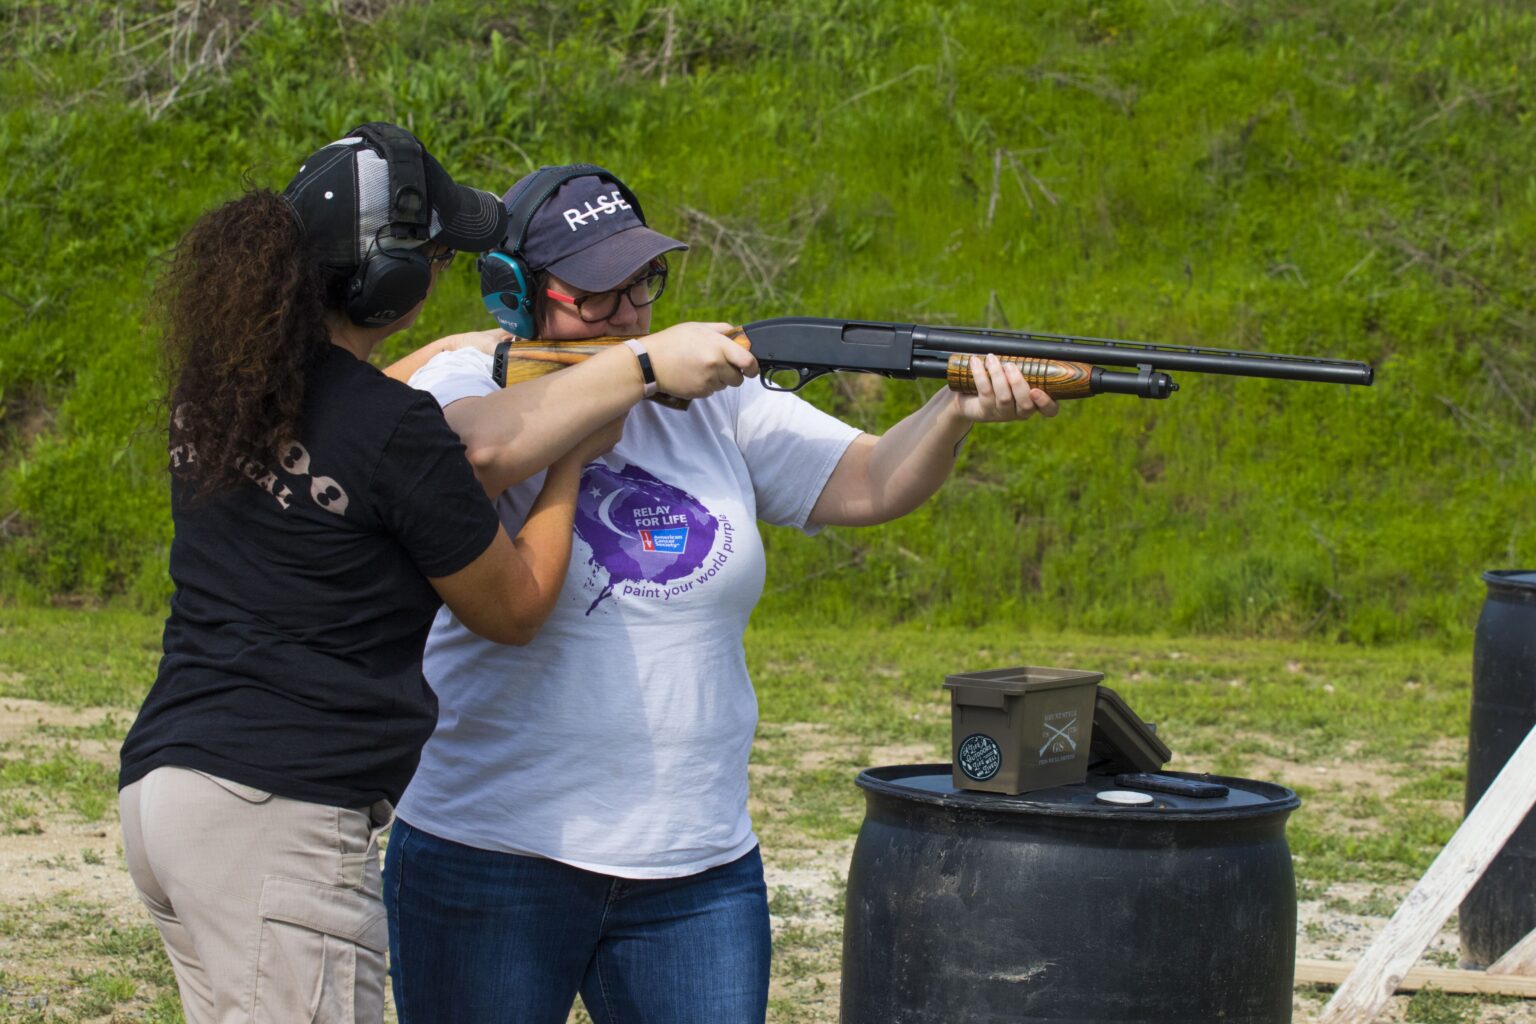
pixel 345 196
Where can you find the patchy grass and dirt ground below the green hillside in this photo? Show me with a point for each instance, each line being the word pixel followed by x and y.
pixel 1372 739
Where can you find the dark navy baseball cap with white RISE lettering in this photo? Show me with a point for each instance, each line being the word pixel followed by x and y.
pixel 589 234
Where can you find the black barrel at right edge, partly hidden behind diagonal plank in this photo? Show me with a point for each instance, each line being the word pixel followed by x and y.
pixel 1501 910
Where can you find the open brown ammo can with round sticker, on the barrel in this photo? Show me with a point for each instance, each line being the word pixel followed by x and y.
pixel 1018 730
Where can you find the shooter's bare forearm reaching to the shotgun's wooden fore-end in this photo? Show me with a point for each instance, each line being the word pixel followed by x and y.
pixel 889 477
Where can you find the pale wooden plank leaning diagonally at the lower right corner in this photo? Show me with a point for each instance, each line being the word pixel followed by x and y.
pixel 1443 888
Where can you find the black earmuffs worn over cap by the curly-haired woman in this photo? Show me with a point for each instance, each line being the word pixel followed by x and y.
pixel 391 282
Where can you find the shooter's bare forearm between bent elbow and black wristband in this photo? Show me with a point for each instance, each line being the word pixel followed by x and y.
pixel 514 434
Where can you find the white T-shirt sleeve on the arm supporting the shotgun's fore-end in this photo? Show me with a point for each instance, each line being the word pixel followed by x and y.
pixel 792 449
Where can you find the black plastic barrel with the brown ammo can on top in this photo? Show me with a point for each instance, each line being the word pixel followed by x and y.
pixel 1050 907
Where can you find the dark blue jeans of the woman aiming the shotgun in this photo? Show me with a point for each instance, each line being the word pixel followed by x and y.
pixel 498 939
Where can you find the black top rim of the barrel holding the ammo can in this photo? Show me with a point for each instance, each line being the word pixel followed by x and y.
pixel 884 782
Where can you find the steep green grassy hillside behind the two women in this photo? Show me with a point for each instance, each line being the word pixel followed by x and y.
pixel 1348 180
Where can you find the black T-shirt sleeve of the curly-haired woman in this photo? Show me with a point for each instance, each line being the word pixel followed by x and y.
pixel 429 498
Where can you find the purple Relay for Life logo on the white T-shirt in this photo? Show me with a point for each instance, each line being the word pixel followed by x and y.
pixel 652 540
